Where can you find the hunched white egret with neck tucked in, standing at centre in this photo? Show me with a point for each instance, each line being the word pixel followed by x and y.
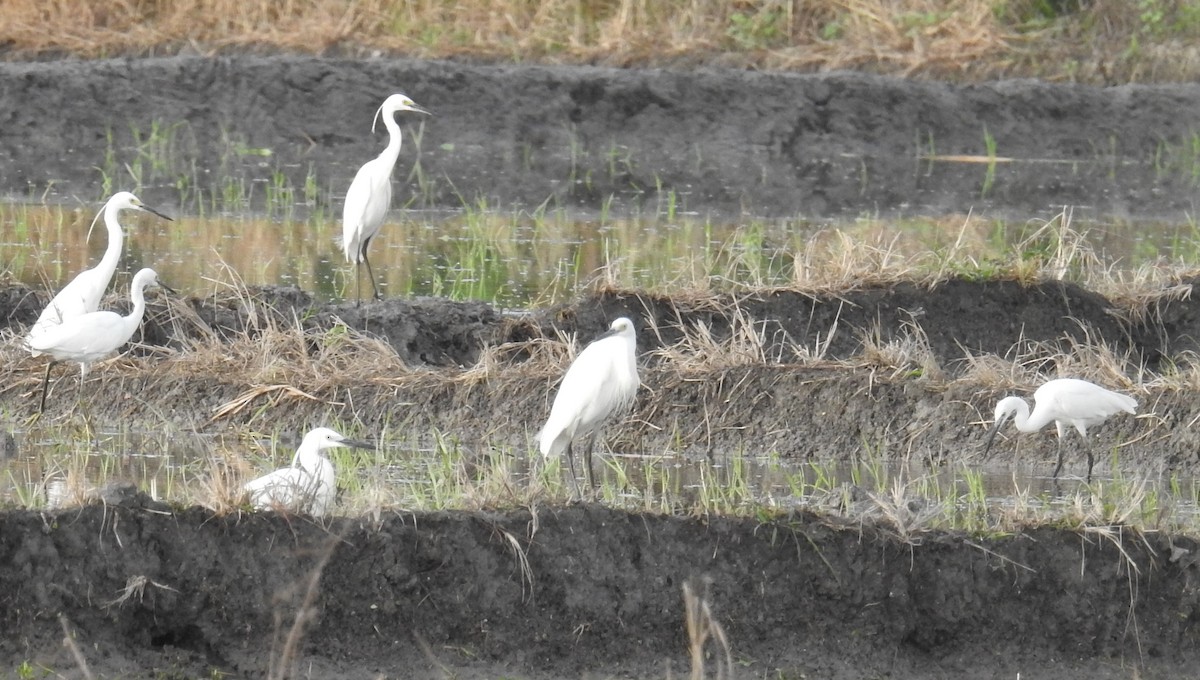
pixel 602 381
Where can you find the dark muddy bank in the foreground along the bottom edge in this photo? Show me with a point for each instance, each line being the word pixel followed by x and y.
pixel 584 592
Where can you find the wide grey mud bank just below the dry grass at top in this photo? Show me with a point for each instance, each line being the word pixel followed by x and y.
pixel 718 141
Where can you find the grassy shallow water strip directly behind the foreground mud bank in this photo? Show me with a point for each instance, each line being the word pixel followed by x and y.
pixel 46 472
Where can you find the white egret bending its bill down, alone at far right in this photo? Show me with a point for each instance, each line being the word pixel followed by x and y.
pixel 1067 402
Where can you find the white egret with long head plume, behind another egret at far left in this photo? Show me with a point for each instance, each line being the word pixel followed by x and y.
pixel 83 294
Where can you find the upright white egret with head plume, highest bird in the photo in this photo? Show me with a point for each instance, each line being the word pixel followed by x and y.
pixel 370 195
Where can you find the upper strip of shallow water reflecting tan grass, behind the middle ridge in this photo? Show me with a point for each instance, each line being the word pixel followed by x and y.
pixel 521 258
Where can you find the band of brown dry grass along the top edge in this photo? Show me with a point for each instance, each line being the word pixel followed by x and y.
pixel 1101 41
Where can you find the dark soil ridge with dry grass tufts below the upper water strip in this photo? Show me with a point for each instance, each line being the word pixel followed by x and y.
pixel 951 321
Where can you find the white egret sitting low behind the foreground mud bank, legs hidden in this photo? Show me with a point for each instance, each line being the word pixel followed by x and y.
pixel 310 484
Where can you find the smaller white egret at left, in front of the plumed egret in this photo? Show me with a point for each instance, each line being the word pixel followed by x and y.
pixel 91 338
